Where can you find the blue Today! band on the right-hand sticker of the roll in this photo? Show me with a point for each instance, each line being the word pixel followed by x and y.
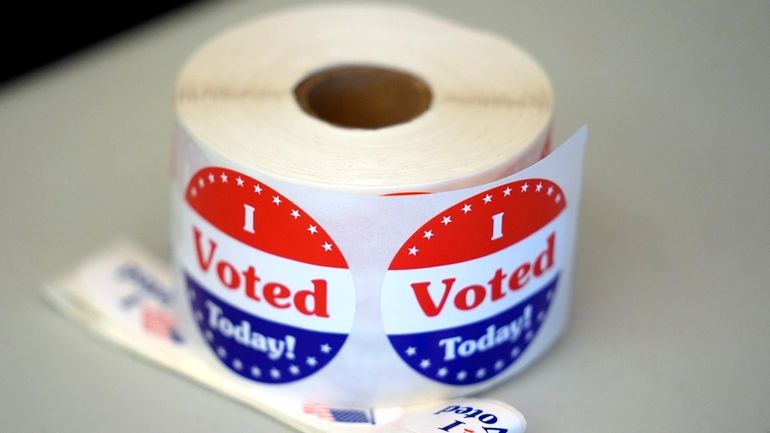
pixel 476 352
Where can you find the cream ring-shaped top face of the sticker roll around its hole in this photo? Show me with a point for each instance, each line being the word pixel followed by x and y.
pixel 490 114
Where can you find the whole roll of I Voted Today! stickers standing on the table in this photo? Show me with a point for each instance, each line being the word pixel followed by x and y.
pixel 351 224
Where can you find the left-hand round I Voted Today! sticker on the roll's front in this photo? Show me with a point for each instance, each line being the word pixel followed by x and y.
pixel 270 291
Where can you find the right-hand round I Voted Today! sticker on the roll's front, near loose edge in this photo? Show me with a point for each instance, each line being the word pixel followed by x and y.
pixel 466 294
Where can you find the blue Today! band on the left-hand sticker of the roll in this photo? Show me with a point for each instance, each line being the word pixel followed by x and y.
pixel 258 349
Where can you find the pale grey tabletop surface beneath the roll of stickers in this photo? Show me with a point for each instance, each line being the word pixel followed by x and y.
pixel 671 316
